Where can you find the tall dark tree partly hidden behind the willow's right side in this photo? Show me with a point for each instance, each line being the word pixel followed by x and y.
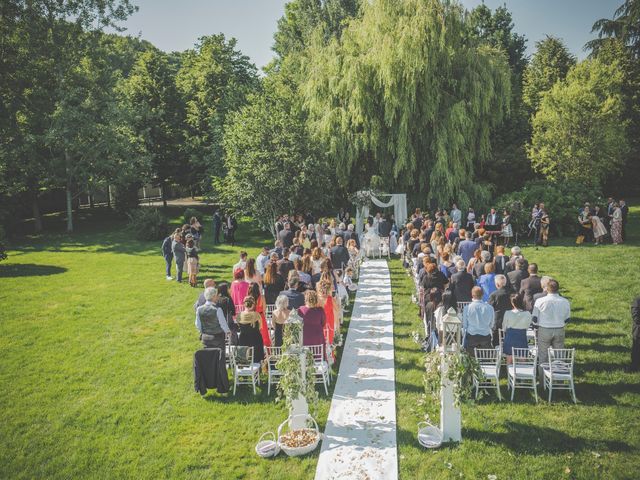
pixel 509 139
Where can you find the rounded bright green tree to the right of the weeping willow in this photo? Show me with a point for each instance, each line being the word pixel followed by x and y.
pixel 579 130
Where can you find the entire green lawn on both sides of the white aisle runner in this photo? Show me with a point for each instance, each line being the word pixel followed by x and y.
pixel 96 376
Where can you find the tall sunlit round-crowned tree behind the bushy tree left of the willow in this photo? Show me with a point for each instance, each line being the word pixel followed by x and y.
pixel 214 79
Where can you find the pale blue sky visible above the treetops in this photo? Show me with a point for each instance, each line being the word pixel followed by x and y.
pixel 175 25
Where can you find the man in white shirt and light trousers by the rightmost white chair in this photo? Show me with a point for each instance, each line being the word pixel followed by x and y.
pixel 550 313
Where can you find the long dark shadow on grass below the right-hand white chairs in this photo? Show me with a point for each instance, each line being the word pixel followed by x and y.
pixel 529 439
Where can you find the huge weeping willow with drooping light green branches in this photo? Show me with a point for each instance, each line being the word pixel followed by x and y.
pixel 407 94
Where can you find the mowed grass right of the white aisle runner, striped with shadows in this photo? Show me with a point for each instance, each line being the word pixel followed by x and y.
pixel 599 438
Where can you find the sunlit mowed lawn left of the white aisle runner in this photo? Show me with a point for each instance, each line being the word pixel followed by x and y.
pixel 96 352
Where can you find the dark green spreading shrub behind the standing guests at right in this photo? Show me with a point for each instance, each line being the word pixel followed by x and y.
pixel 563 201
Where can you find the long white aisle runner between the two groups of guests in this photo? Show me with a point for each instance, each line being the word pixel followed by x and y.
pixel 360 436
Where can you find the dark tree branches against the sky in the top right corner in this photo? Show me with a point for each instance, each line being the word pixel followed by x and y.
pixel 625 26
